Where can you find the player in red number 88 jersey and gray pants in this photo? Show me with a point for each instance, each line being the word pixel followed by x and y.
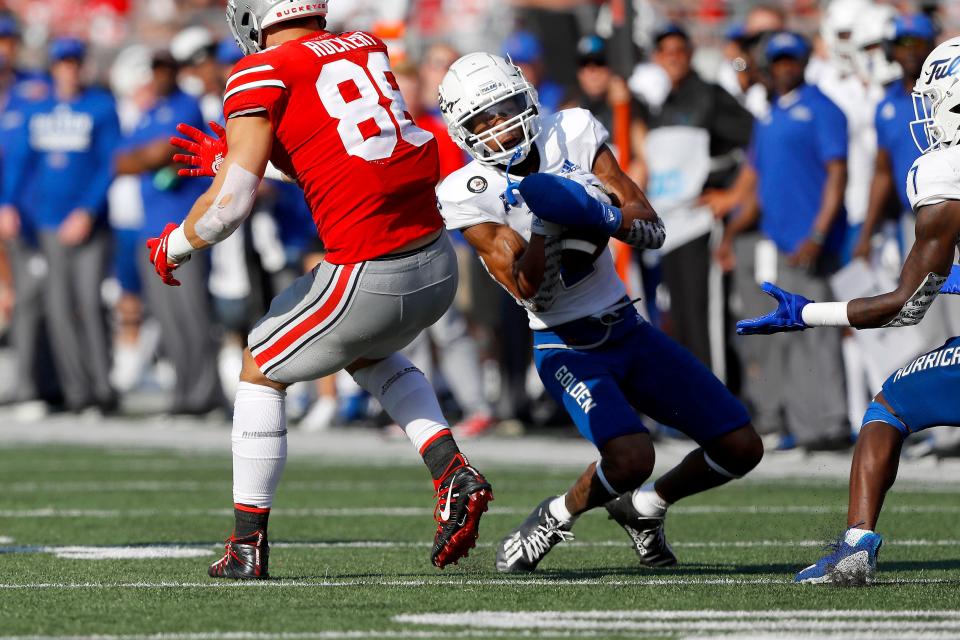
pixel 325 109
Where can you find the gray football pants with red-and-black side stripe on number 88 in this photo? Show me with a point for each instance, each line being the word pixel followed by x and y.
pixel 338 314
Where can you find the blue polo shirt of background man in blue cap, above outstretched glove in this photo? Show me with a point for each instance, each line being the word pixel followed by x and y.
pixel 791 148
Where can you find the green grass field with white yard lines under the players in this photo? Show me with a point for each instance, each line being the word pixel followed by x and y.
pixel 350 558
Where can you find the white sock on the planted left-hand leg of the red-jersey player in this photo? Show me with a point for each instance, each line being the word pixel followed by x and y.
pixel 259 444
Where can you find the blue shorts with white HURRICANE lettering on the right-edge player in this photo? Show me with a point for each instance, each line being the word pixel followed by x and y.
pixel 924 393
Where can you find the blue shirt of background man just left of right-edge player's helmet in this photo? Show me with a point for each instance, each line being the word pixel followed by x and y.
pixel 893 117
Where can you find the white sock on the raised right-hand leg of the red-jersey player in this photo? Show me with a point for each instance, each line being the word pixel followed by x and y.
pixel 406 396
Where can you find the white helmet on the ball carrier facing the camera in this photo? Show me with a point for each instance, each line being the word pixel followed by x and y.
pixel 485 86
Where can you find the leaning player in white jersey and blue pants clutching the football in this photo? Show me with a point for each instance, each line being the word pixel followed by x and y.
pixel 539 202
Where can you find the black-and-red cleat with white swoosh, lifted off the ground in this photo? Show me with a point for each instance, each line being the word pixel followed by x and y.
pixel 462 497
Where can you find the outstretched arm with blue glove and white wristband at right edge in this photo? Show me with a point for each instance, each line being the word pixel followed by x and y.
pixel 923 275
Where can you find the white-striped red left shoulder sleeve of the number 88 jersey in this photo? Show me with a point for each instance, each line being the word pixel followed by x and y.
pixel 255 87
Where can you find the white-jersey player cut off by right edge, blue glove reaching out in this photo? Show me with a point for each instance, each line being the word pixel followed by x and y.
pixel 926 391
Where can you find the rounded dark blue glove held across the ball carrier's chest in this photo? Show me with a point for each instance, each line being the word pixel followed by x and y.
pixel 565 202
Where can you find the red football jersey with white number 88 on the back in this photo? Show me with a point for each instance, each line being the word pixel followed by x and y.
pixel 343 131
